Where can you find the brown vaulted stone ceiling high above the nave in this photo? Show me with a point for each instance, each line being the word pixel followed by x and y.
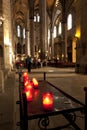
pixel 21 7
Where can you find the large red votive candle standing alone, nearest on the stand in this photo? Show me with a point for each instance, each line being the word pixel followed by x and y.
pixel 47 100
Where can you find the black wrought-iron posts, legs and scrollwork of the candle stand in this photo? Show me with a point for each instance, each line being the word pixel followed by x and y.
pixel 44 122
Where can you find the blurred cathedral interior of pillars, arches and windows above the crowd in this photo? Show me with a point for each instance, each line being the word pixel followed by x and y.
pixel 49 30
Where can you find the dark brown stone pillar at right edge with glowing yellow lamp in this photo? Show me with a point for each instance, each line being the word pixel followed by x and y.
pixel 81 27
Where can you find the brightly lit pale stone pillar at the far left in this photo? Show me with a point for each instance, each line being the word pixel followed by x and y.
pixel 7 30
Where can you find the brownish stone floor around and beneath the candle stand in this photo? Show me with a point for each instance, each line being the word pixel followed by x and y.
pixel 65 78
